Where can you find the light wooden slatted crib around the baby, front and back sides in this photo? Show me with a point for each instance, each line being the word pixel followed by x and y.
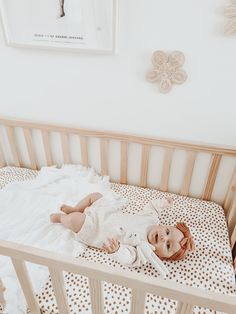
pixel 33 145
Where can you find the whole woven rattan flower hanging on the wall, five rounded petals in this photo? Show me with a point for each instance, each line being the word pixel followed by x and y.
pixel 167 70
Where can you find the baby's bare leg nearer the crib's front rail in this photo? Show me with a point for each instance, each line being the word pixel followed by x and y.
pixel 73 221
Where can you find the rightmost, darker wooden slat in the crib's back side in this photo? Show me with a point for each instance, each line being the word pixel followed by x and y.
pixel 215 163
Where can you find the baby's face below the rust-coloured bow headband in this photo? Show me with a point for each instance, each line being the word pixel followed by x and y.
pixel 165 239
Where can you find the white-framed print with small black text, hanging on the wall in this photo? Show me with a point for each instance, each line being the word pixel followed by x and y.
pixel 88 26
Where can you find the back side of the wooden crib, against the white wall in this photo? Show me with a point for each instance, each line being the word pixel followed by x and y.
pixel 190 169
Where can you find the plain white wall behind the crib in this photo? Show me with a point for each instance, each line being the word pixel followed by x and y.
pixel 111 92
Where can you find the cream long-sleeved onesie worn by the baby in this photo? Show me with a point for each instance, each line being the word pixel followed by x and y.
pixel 104 220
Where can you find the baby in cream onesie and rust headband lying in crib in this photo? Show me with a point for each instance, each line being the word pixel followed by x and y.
pixel 98 222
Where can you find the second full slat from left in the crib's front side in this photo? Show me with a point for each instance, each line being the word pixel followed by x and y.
pixel 59 290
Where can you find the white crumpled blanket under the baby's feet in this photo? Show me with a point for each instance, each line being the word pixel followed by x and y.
pixel 25 208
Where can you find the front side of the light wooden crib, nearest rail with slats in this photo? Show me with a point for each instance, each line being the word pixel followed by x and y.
pixel 187 296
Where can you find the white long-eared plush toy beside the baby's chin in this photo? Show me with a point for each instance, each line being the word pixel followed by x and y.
pixel 145 251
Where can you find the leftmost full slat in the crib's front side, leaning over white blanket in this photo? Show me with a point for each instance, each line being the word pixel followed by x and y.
pixel 26 285
